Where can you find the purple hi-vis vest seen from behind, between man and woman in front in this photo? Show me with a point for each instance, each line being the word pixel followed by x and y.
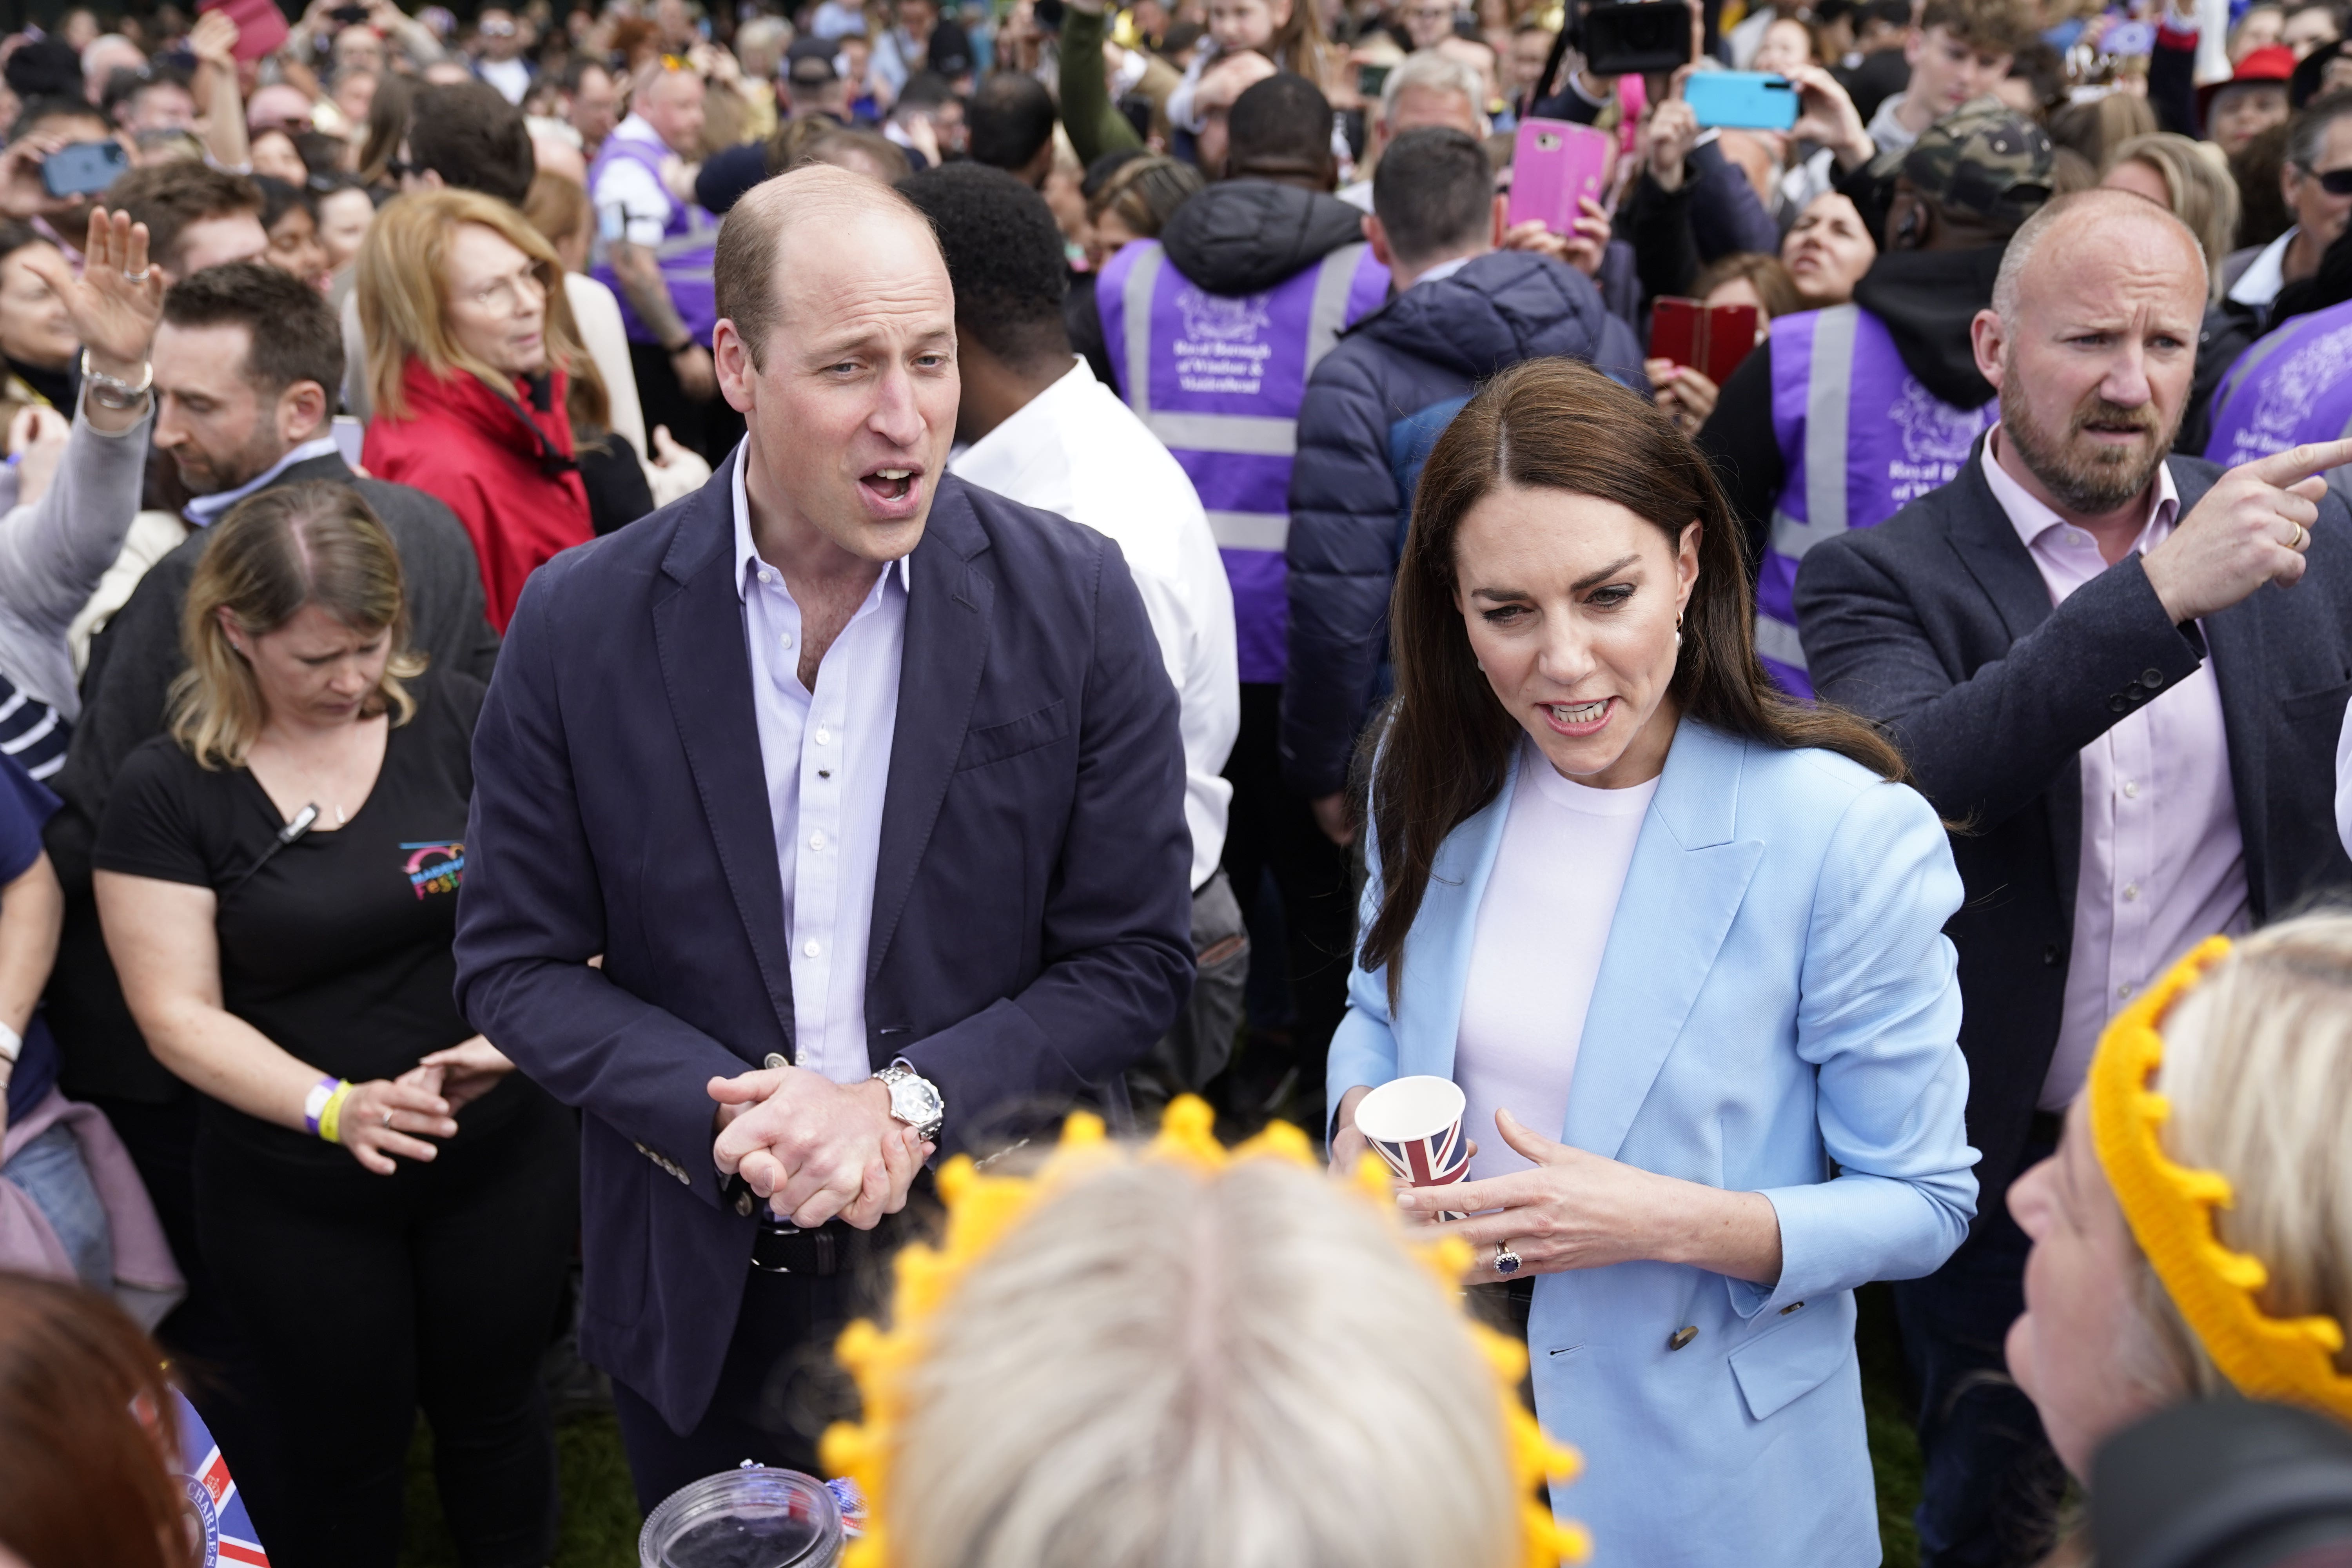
pixel 1220 380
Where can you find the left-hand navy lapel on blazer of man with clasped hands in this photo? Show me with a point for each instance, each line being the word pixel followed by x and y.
pixel 707 674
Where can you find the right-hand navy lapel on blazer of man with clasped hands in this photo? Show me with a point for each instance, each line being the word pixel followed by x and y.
pixel 947 648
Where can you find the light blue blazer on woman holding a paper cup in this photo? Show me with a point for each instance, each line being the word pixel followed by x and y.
pixel 1777 1012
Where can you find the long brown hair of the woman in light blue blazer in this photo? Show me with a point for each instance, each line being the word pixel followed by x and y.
pixel 1448 742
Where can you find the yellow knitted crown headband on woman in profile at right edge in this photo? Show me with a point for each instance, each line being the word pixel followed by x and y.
pixel 2172 1217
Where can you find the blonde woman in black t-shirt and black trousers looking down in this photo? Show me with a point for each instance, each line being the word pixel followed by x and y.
pixel 389 1209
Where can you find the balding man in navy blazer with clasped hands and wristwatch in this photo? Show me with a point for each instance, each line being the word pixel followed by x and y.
pixel 867 791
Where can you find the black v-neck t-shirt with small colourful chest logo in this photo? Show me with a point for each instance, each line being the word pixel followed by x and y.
pixel 338 946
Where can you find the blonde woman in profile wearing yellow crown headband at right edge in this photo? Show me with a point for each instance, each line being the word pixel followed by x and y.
pixel 2252 1050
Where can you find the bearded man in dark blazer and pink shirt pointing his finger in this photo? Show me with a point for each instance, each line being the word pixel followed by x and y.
pixel 2125 674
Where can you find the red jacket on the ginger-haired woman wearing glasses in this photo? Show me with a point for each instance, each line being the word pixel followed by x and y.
pixel 512 483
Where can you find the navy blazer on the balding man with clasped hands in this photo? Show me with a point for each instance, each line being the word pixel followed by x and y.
pixel 1031 930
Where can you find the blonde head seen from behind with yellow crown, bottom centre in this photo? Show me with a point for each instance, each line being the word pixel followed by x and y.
pixel 1175 1362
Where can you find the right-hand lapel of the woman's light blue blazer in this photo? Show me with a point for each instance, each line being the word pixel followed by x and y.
pixel 1683 892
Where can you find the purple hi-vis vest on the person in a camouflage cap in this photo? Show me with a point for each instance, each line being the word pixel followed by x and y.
pixel 1859 441
